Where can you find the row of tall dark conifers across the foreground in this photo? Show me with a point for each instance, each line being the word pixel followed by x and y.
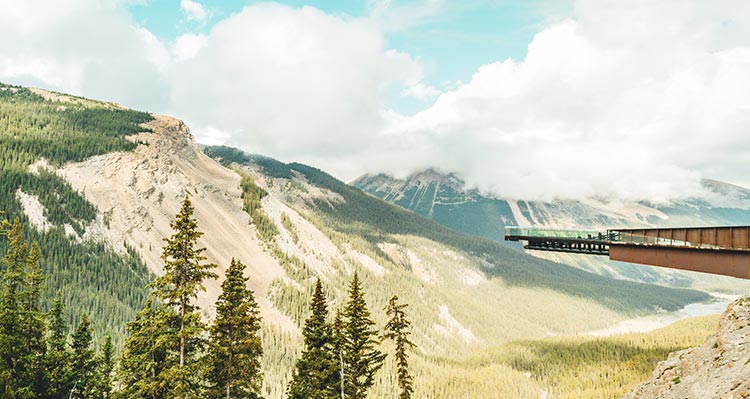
pixel 170 351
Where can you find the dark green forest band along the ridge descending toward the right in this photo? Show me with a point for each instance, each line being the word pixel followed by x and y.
pixel 374 220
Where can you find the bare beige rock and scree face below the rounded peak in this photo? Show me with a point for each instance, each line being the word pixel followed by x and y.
pixel 139 192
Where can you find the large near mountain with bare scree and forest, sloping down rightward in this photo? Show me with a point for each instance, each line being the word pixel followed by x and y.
pixel 97 186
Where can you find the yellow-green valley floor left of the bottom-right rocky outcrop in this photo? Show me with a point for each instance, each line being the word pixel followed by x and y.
pixel 566 367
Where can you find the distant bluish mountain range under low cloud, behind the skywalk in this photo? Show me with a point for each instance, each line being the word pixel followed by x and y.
pixel 446 199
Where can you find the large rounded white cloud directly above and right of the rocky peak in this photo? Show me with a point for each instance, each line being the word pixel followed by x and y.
pixel 295 83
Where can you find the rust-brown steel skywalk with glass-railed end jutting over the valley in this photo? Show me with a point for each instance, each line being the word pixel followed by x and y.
pixel 716 250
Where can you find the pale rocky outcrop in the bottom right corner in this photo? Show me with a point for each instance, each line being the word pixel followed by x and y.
pixel 718 369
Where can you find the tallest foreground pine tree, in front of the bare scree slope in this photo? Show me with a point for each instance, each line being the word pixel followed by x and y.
pixel 184 273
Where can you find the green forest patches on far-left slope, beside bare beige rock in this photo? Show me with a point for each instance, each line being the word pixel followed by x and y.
pixel 91 278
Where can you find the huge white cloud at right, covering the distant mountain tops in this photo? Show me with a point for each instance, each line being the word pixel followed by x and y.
pixel 637 100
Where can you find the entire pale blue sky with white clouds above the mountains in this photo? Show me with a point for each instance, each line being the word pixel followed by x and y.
pixel 545 99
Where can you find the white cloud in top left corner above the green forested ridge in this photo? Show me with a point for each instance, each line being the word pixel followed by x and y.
pixel 85 47
